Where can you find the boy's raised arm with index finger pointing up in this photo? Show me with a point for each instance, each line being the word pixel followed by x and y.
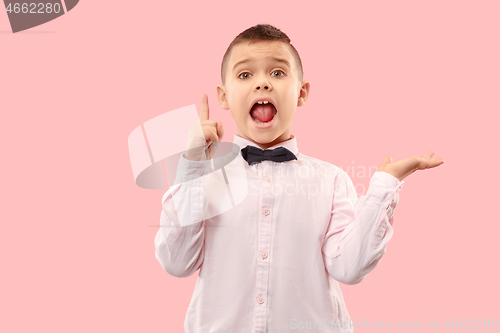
pixel 179 242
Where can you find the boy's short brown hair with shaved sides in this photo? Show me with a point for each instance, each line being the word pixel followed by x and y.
pixel 261 32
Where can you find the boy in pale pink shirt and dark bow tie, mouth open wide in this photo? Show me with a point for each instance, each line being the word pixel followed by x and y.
pixel 272 263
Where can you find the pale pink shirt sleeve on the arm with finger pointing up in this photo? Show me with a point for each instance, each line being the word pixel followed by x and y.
pixel 179 241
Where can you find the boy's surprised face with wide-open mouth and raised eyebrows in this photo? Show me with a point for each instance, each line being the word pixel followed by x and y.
pixel 262 70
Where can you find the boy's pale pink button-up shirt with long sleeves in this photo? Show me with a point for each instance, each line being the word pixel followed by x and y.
pixel 273 262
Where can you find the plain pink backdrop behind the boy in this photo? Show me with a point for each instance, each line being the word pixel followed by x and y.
pixel 387 77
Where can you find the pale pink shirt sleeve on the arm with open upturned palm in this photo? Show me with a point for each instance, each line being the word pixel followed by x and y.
pixel 360 228
